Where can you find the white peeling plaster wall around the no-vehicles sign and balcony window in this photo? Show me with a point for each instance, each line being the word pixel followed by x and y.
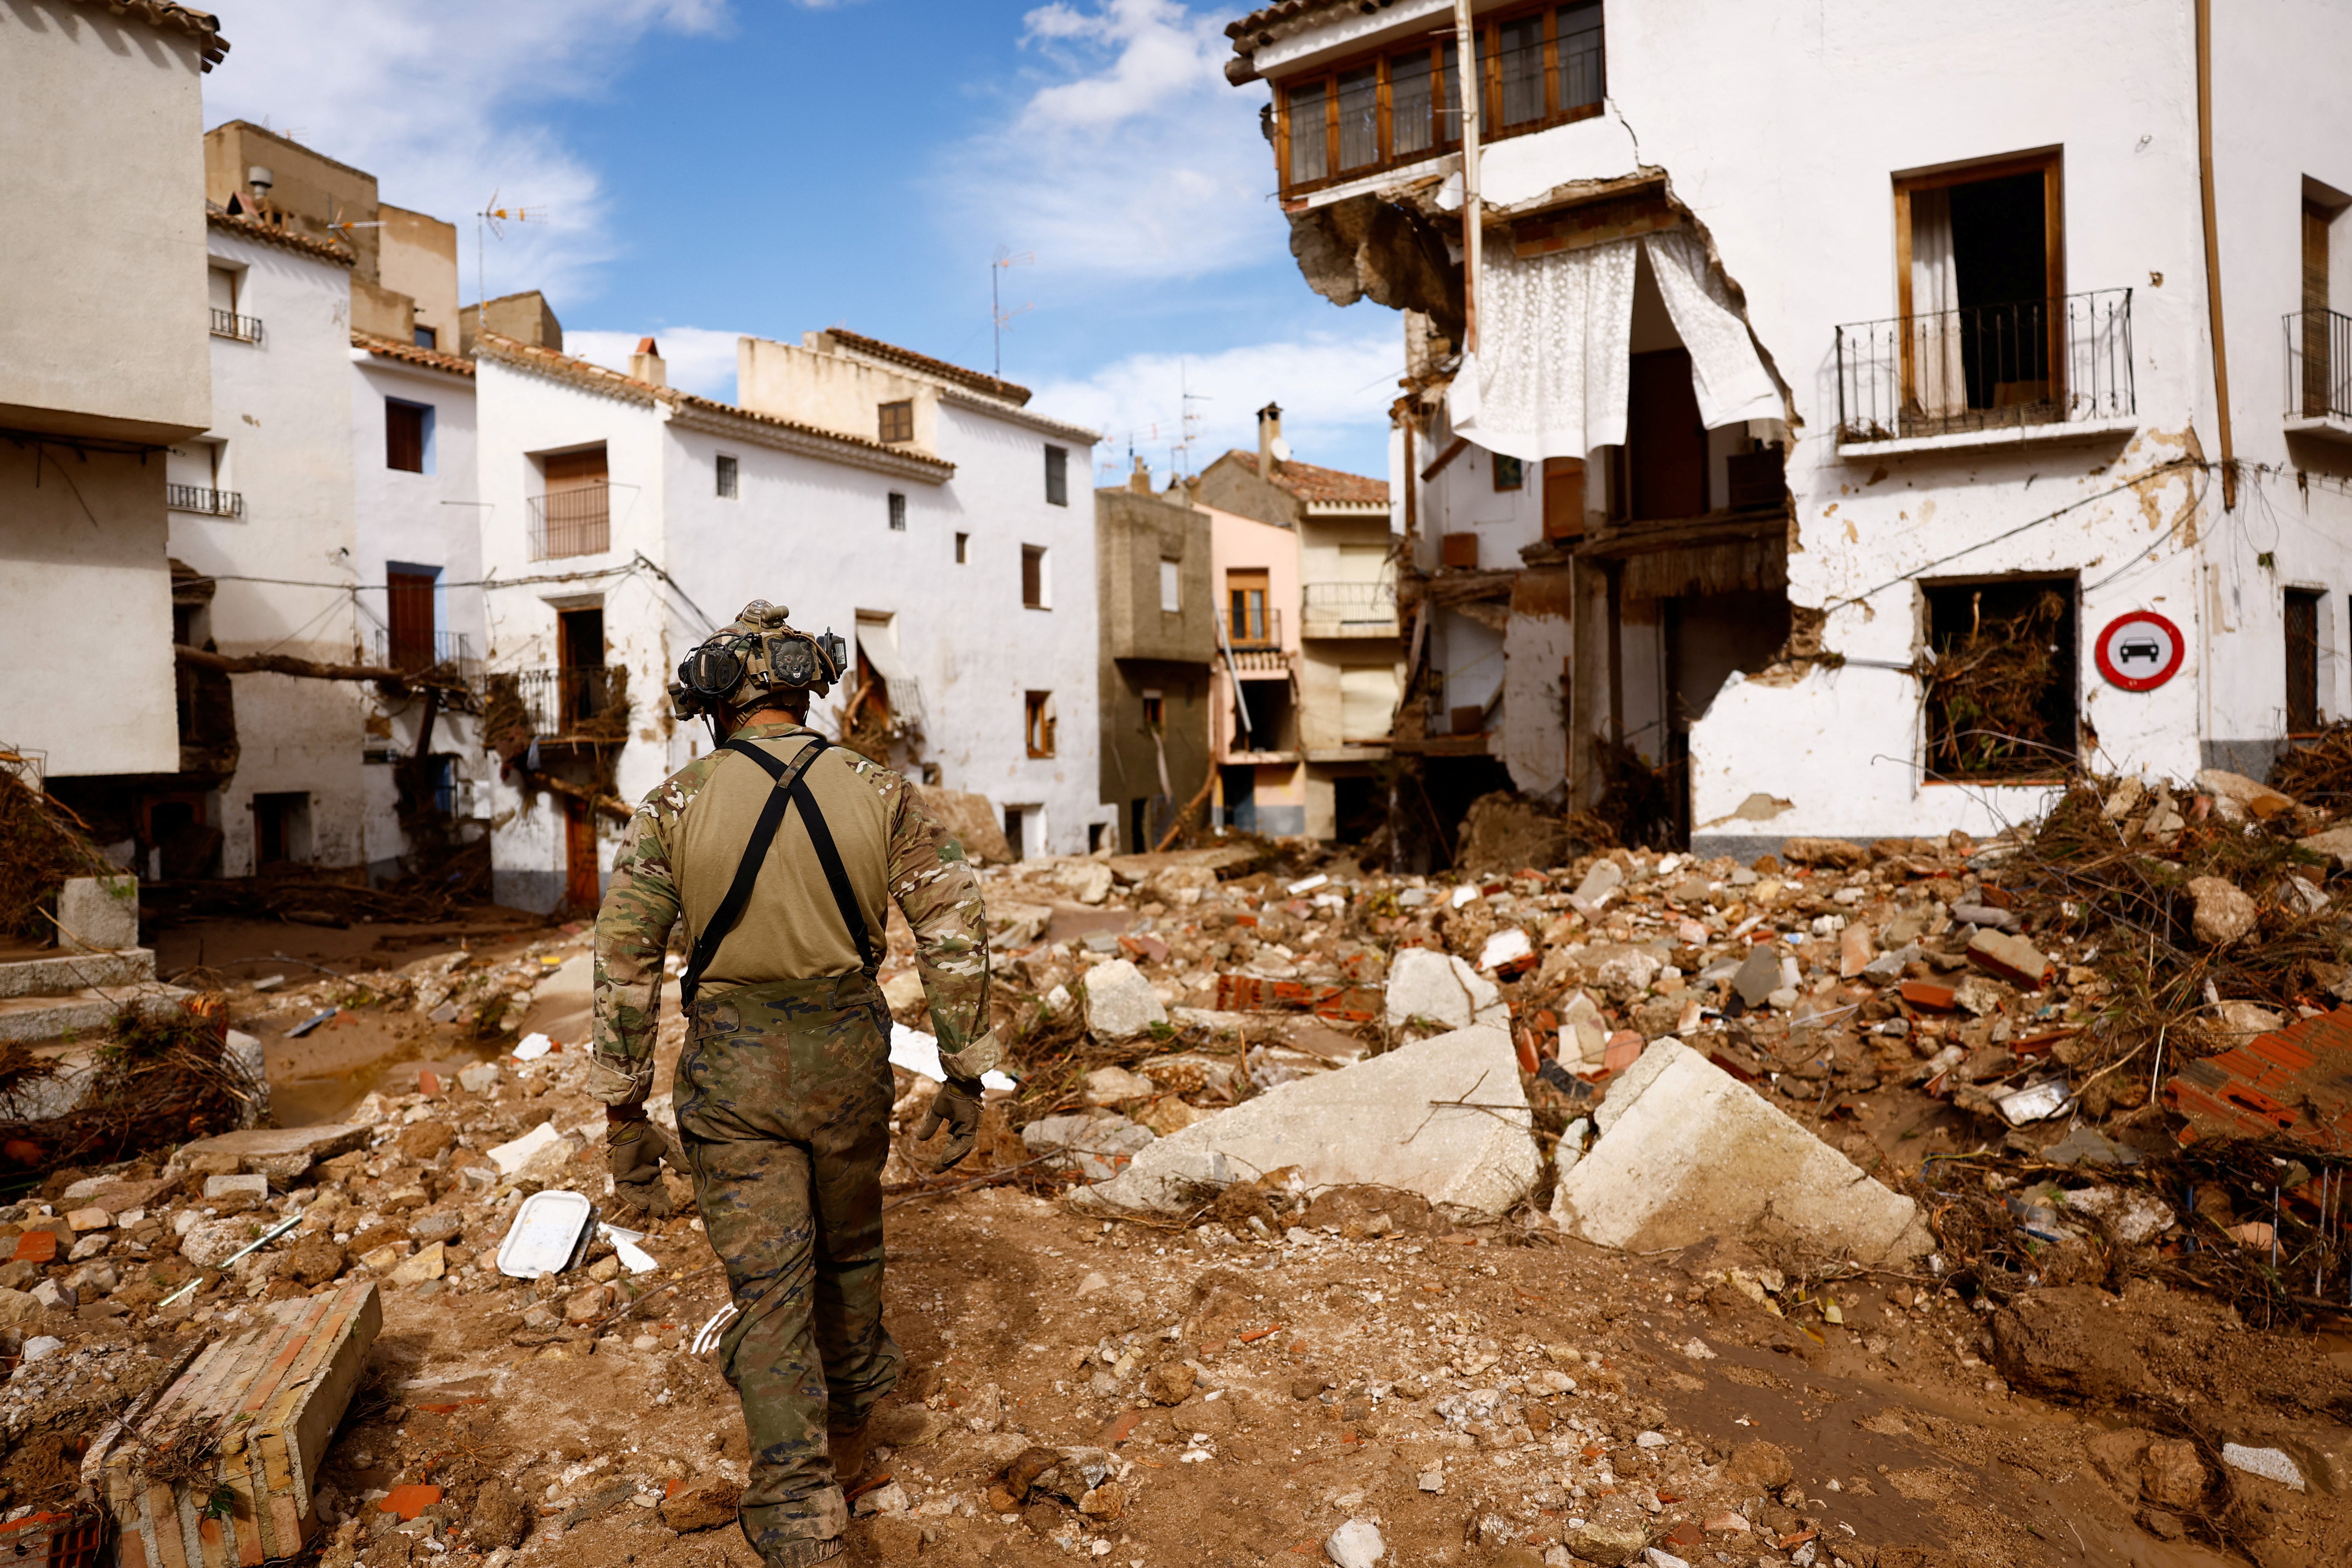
pixel 1751 116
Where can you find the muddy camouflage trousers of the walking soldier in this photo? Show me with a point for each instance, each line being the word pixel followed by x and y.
pixel 784 1104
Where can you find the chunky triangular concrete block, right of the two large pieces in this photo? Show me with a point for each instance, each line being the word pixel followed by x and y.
pixel 1690 1153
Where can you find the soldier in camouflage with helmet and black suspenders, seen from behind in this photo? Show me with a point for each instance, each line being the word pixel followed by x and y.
pixel 784 1085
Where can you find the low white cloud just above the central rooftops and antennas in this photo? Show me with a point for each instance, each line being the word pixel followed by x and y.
pixel 1335 394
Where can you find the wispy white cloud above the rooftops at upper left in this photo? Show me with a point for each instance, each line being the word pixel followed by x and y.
pixel 434 98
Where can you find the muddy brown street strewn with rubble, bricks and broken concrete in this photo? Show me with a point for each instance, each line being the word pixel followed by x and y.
pixel 1805 1212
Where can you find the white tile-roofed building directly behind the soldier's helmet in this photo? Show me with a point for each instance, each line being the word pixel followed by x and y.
pixel 911 507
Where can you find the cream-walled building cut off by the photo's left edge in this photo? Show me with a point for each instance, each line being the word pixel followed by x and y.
pixel 102 366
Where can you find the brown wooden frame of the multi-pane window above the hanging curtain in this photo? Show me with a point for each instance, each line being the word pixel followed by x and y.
pixel 1490 51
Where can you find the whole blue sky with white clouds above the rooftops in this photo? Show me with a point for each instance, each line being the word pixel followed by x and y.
pixel 714 168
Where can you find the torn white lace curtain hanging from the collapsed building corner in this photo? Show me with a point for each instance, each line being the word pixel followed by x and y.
pixel 1558 347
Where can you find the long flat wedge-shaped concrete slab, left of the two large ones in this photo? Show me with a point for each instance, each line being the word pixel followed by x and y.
pixel 1391 1123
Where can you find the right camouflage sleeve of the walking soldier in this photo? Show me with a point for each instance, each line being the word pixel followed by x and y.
pixel 942 902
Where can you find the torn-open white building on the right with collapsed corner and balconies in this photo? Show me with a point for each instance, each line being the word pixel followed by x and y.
pixel 1793 481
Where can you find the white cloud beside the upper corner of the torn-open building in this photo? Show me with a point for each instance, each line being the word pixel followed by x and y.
pixel 1130 159
